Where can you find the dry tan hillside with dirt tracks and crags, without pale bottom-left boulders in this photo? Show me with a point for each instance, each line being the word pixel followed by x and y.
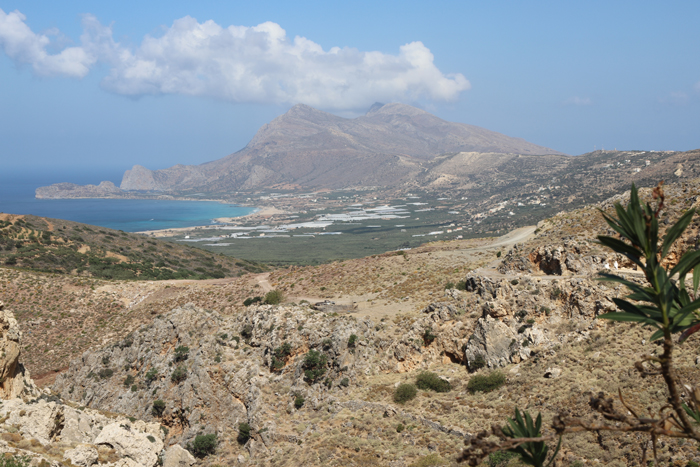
pixel 524 303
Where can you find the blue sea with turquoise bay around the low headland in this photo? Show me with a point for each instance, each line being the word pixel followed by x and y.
pixel 130 215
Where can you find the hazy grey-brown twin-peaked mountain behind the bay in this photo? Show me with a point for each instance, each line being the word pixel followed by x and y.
pixel 306 147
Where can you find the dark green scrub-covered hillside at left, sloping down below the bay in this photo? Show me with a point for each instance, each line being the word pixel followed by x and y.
pixel 65 247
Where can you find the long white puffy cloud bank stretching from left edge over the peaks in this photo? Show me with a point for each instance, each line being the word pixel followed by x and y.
pixel 237 63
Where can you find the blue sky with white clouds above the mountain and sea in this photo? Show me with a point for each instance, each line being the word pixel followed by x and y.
pixel 105 85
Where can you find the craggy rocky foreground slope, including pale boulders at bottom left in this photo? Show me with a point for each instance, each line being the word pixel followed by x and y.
pixel 290 385
